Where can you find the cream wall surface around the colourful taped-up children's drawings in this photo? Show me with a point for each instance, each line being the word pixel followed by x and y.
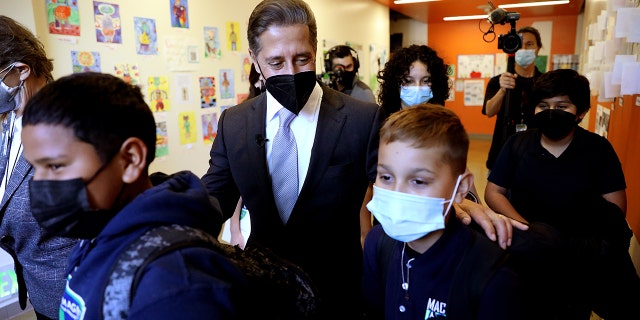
pixel 362 22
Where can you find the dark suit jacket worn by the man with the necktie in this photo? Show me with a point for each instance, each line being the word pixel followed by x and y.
pixel 323 233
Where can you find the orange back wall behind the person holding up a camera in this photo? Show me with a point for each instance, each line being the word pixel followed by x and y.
pixel 452 38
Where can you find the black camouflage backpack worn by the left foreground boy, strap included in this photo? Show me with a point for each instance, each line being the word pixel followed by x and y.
pixel 278 289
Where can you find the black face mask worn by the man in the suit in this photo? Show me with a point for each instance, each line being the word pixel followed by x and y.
pixel 292 91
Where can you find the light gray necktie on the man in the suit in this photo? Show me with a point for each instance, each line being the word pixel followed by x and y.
pixel 284 158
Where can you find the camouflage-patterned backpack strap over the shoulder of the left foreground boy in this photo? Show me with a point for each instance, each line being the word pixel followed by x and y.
pixel 128 269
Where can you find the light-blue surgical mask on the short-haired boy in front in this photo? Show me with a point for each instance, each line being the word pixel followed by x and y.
pixel 407 217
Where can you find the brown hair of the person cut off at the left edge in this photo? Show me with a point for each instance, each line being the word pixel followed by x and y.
pixel 17 43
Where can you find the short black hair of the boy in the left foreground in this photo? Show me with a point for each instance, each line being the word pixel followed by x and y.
pixel 102 109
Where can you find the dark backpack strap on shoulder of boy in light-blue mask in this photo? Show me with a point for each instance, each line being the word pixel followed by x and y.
pixel 479 263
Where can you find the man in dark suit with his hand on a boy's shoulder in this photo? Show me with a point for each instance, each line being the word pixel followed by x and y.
pixel 336 138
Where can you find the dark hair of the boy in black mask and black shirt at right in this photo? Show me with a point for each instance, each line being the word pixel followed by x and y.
pixel 562 82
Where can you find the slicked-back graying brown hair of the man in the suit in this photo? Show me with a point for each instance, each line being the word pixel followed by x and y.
pixel 280 13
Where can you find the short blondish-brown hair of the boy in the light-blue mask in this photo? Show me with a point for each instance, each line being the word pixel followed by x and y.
pixel 430 126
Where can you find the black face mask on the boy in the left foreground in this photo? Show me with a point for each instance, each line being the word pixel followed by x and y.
pixel 62 208
